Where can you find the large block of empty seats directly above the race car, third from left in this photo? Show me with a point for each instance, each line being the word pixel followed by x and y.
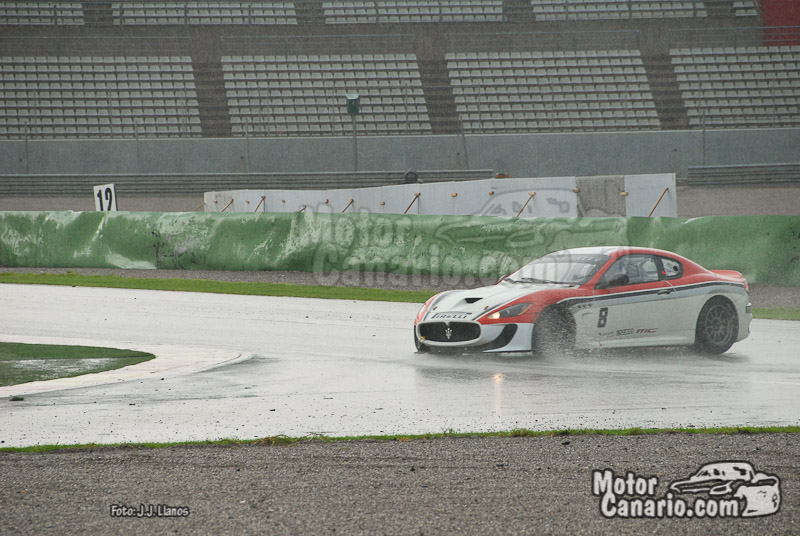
pixel 566 87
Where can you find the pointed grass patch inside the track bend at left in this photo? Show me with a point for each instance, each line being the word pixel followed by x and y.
pixel 22 363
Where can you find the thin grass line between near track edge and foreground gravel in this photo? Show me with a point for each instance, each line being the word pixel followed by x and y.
pixel 285 440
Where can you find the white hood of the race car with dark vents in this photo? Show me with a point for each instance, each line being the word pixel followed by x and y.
pixel 472 303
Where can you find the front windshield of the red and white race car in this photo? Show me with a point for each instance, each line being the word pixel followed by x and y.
pixel 573 269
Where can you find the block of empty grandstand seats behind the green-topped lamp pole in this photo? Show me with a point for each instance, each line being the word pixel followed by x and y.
pixel 302 94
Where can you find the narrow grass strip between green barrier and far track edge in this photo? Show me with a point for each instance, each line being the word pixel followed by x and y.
pixel 271 289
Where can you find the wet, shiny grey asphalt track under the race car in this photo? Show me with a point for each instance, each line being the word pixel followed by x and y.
pixel 293 366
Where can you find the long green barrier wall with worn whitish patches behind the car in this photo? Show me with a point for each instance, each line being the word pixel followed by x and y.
pixel 766 249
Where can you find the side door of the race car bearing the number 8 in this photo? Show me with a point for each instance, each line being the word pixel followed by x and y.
pixel 631 306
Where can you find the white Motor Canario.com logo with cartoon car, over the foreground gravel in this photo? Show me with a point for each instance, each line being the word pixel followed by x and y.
pixel 717 490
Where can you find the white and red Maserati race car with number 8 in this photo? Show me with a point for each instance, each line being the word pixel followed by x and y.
pixel 592 297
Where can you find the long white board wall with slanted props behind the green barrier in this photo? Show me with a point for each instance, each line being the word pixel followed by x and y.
pixel 549 197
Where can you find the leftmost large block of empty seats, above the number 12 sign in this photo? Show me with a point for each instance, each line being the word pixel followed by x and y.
pixel 80 96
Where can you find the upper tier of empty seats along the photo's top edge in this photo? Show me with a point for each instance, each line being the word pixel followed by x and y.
pixel 255 12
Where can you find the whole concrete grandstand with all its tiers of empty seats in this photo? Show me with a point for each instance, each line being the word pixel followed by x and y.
pixel 216 70
